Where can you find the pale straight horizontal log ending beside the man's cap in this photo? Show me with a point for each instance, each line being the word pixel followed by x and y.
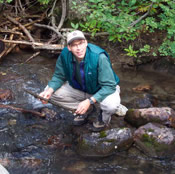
pixel 37 45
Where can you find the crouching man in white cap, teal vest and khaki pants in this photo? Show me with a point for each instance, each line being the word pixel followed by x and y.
pixel 83 76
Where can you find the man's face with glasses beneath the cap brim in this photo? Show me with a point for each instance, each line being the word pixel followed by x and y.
pixel 78 48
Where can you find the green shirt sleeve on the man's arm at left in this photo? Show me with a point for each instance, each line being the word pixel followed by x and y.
pixel 58 77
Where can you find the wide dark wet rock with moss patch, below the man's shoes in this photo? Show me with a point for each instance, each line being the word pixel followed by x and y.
pixel 104 143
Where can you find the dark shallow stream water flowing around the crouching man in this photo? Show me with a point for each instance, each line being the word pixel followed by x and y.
pixel 34 145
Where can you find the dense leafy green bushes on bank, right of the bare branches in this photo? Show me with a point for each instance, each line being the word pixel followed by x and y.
pixel 126 20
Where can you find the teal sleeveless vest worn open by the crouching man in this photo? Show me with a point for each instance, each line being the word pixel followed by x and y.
pixel 90 67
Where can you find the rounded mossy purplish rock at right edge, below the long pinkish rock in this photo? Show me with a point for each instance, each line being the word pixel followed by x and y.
pixel 155 140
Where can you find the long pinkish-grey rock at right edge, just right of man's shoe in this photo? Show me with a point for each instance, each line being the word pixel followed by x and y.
pixel 139 117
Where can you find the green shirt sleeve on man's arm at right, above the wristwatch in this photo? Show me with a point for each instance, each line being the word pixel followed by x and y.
pixel 106 79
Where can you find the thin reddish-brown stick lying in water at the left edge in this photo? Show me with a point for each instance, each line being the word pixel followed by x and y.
pixel 22 110
